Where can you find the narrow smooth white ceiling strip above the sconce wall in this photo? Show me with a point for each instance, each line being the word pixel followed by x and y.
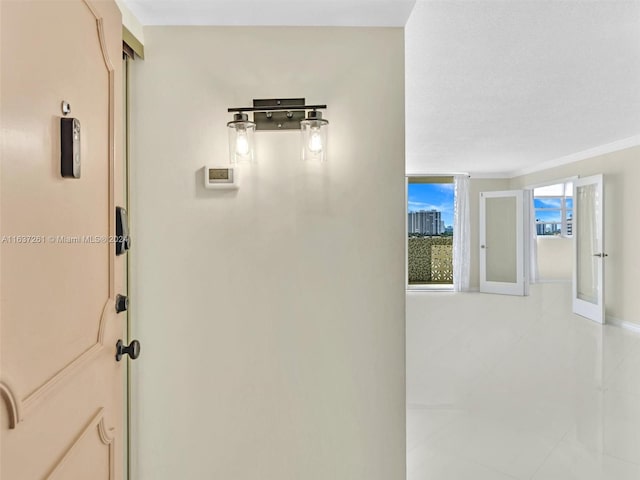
pixel 348 13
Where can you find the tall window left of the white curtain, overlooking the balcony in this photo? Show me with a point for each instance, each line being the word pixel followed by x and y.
pixel 430 206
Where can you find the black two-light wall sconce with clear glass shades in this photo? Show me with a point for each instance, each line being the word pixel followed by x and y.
pixel 278 114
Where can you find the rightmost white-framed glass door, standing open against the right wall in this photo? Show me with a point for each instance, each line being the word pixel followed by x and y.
pixel 588 276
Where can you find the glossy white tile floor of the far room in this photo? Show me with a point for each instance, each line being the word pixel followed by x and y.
pixel 503 387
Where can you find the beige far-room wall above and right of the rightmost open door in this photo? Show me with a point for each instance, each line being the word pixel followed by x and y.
pixel 621 196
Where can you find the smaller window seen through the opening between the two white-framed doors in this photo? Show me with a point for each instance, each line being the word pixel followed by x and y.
pixel 554 209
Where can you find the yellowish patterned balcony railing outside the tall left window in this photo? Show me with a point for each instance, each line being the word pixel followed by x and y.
pixel 430 260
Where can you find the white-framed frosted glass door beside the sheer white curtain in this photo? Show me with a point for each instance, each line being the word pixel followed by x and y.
pixel 502 243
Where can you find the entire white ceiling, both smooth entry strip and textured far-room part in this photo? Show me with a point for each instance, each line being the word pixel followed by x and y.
pixel 491 86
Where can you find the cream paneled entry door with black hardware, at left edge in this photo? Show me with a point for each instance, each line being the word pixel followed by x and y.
pixel 62 408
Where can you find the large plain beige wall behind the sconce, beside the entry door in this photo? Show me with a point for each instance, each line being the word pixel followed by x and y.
pixel 271 317
